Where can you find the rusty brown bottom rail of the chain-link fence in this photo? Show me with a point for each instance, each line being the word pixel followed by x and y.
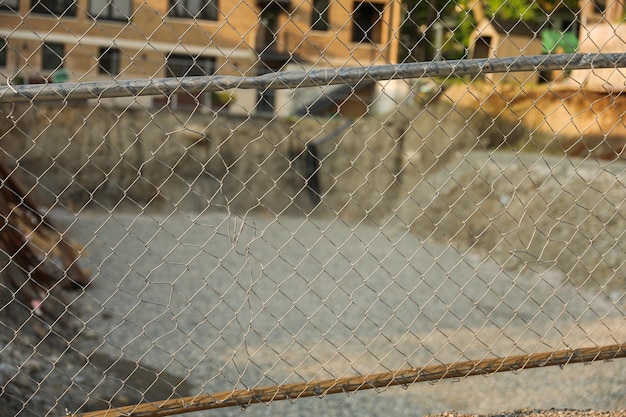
pixel 244 398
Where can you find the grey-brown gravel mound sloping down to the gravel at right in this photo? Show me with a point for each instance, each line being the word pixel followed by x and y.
pixel 528 210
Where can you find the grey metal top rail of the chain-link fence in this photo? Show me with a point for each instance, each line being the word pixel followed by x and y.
pixel 293 79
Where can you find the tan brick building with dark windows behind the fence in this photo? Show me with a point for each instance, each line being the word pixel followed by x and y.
pixel 88 40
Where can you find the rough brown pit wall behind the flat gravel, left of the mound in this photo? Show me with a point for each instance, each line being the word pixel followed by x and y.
pixel 81 155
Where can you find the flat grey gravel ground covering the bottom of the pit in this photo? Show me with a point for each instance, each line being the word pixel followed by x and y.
pixel 369 299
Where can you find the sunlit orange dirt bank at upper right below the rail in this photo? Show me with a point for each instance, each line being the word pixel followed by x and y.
pixel 560 119
